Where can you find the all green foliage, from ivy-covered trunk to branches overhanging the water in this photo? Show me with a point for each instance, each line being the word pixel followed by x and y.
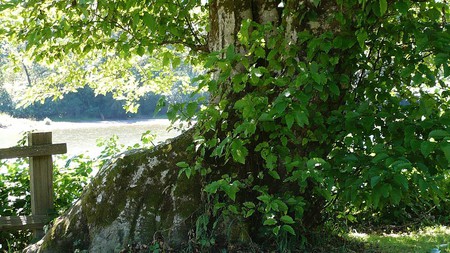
pixel 346 115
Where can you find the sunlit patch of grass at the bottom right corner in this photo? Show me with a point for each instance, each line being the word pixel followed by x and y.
pixel 420 241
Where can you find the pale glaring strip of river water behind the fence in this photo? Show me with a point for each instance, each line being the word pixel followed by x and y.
pixel 81 136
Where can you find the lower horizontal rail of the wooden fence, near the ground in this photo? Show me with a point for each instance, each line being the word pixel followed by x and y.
pixel 23 222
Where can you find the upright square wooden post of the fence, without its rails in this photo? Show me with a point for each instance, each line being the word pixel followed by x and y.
pixel 41 179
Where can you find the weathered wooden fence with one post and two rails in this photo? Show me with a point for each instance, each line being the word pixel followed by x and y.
pixel 40 150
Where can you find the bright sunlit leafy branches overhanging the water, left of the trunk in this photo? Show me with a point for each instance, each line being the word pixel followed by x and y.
pixel 128 48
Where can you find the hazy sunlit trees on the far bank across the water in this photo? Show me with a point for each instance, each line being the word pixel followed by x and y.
pixel 25 83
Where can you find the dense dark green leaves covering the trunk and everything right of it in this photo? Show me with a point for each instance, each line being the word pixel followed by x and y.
pixel 346 123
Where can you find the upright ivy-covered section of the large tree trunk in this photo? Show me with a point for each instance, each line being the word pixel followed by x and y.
pixel 264 141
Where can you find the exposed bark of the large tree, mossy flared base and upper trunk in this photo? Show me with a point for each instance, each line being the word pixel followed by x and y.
pixel 138 197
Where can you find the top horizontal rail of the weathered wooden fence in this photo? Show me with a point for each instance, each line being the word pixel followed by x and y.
pixel 32 151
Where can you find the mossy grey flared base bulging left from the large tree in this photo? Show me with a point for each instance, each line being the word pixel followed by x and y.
pixel 136 197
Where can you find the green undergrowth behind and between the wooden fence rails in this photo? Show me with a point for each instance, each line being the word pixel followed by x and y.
pixel 15 197
